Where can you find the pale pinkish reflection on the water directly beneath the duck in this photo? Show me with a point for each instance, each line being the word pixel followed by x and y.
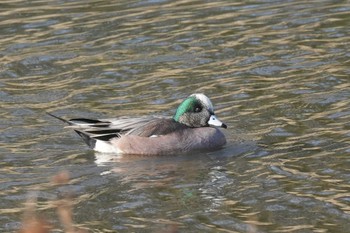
pixel 137 170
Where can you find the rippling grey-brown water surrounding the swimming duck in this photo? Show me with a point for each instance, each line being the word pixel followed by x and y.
pixel 277 72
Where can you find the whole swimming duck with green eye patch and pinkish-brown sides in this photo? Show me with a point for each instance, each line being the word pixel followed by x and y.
pixel 193 127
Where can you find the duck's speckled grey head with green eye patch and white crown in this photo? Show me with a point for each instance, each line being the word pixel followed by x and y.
pixel 197 111
